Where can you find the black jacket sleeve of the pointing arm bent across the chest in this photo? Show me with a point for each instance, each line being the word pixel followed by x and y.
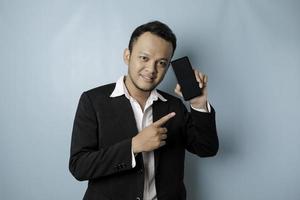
pixel 87 160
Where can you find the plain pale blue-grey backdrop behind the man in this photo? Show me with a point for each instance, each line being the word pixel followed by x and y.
pixel 53 50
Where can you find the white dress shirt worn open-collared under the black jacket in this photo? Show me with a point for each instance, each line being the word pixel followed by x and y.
pixel 143 119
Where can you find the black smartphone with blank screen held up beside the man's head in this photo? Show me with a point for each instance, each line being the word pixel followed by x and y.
pixel 186 78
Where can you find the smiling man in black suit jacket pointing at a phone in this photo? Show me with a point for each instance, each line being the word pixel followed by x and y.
pixel 129 139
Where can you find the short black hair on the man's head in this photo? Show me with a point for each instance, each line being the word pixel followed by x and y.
pixel 155 27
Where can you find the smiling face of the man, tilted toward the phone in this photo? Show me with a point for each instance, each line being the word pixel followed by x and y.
pixel 147 62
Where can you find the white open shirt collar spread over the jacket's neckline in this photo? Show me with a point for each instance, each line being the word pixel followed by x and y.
pixel 120 89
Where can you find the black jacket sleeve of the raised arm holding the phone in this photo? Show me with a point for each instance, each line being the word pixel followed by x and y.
pixel 200 133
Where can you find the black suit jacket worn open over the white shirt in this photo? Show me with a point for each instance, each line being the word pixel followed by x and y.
pixel 101 146
